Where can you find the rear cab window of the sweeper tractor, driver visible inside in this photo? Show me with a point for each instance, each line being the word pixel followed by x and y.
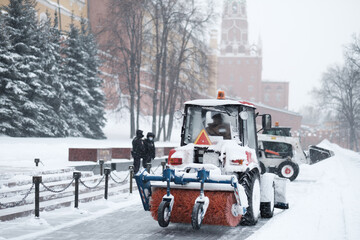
pixel 219 122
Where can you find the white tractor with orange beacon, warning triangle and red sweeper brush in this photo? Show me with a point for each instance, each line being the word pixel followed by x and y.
pixel 214 176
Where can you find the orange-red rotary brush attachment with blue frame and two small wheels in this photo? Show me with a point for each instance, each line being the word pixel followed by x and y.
pixel 223 203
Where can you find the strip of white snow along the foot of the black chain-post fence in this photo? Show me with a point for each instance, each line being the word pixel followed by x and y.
pixel 49 222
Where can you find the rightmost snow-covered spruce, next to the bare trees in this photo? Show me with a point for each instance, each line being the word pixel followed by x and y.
pixel 83 99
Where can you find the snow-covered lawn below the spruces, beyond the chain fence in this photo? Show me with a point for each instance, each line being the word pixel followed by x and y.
pixel 20 153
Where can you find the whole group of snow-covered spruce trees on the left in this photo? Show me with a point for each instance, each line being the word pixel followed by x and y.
pixel 48 88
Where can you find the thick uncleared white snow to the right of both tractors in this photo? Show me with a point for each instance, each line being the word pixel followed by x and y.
pixel 324 201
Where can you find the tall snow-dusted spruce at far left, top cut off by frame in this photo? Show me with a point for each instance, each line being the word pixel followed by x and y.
pixel 24 90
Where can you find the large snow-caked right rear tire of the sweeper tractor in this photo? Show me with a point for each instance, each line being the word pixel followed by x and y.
pixel 248 182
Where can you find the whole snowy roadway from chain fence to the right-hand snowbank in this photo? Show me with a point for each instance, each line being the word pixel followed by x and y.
pixel 324 204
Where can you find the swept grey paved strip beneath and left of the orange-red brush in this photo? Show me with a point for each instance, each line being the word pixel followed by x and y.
pixel 134 223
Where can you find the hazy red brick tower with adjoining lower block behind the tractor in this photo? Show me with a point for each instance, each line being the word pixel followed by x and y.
pixel 240 63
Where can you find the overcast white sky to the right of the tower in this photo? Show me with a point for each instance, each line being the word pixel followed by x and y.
pixel 301 39
